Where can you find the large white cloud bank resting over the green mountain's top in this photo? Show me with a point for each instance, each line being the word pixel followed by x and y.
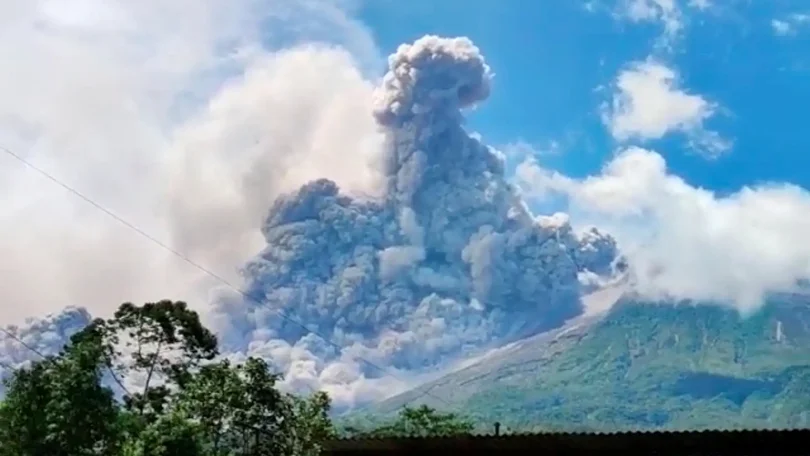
pixel 687 242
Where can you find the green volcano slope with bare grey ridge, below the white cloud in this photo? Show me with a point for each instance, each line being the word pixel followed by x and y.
pixel 642 365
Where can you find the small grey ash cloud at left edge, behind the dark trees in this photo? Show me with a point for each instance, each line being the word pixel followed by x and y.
pixel 46 335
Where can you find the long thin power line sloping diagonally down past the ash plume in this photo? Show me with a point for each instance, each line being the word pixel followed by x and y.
pixel 188 260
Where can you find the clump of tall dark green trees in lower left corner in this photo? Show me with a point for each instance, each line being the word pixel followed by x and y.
pixel 188 406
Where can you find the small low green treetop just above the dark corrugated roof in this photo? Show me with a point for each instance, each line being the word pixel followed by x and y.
pixel 423 422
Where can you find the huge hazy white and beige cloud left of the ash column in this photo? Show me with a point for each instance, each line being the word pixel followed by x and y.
pixel 127 102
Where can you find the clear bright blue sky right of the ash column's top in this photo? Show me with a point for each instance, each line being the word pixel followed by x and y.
pixel 551 56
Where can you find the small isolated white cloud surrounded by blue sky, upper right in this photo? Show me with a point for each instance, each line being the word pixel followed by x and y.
pixel 648 104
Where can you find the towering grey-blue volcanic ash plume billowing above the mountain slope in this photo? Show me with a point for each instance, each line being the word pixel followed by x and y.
pixel 449 260
